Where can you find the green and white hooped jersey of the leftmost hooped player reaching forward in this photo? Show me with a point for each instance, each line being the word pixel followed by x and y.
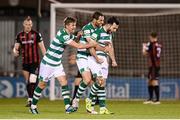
pixel 54 53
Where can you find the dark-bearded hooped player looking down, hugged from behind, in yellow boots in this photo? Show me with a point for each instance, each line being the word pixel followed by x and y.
pixel 103 36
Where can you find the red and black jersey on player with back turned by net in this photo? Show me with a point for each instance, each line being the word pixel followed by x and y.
pixel 154 53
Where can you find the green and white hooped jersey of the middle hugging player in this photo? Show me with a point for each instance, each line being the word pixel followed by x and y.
pixel 88 29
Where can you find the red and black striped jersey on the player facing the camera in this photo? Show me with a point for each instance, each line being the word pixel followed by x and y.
pixel 29 46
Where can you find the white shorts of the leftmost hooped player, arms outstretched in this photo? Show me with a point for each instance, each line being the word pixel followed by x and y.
pixel 46 72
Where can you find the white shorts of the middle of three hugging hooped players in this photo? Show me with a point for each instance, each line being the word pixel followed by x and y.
pixel 82 65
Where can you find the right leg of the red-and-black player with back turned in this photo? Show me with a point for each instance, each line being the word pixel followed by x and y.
pixel 155 83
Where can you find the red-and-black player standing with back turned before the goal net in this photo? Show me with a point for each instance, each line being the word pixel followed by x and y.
pixel 153 51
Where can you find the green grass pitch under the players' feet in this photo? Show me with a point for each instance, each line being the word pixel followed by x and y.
pixel 14 109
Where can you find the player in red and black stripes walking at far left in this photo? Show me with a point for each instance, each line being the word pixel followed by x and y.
pixel 27 42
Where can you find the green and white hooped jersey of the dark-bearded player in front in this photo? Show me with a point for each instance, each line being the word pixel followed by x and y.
pixel 103 38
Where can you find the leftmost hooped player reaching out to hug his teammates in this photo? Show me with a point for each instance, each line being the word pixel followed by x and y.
pixel 51 64
